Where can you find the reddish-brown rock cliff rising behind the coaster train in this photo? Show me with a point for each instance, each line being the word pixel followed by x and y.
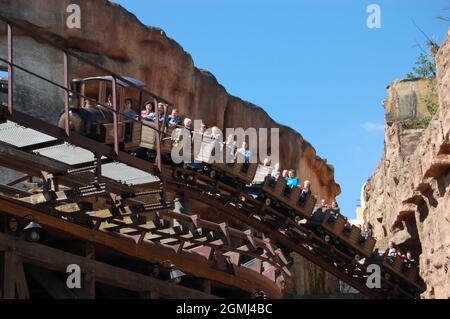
pixel 114 38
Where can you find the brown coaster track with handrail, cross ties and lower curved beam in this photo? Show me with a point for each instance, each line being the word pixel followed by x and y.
pixel 214 251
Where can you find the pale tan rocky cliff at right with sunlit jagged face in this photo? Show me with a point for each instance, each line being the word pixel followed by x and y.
pixel 408 196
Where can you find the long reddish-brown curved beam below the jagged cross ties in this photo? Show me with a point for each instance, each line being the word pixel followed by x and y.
pixel 186 261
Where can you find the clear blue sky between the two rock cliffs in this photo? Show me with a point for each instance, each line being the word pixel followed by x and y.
pixel 312 65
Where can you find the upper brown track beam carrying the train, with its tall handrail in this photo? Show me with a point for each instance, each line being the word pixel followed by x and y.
pixel 286 231
